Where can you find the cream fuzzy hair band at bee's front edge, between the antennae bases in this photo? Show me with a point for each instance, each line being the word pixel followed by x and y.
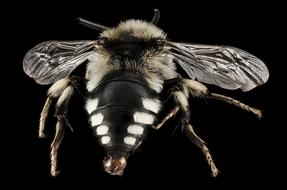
pixel 136 28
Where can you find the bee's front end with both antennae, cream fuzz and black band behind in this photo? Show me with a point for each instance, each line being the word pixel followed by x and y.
pixel 130 38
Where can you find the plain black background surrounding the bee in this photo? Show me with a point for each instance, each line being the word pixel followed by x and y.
pixel 246 150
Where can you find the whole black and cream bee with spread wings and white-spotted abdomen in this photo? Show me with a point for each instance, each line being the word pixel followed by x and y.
pixel 132 72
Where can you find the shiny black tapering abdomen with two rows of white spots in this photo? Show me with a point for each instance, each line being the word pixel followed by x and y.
pixel 121 108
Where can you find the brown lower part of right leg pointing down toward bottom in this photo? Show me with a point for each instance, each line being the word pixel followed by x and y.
pixel 201 144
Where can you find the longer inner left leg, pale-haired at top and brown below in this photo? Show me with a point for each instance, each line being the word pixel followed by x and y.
pixel 61 112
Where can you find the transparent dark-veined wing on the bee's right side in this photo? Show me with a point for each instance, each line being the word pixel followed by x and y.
pixel 226 67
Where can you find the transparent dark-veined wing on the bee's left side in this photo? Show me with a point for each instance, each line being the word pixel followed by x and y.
pixel 50 61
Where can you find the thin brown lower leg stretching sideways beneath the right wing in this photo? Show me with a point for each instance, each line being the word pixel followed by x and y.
pixel 237 103
